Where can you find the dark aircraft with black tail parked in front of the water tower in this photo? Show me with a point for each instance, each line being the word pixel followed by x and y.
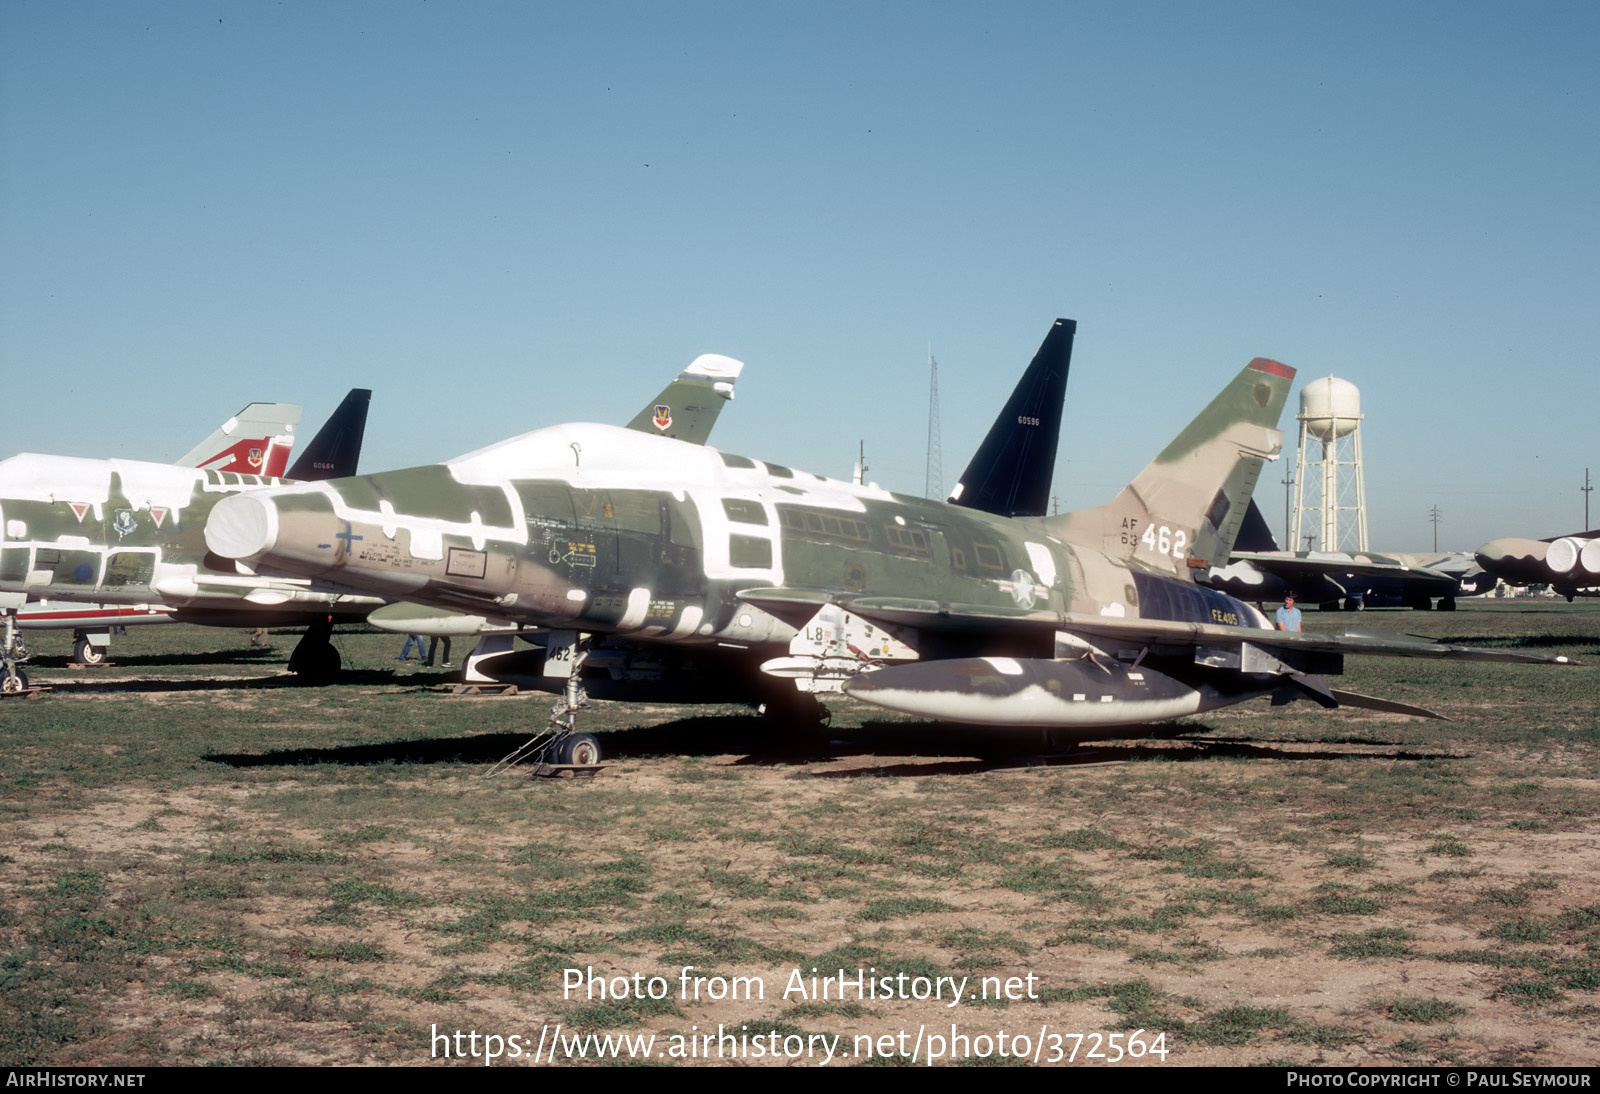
pixel 1258 572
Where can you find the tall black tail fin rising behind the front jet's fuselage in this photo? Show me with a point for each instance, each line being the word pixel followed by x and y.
pixel 1010 476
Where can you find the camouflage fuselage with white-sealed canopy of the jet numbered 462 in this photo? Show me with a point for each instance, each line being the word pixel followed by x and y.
pixel 604 530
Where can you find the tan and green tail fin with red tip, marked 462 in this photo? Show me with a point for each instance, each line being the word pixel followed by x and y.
pixel 1185 511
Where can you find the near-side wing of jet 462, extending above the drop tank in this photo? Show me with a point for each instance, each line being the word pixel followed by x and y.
pixel 1161 633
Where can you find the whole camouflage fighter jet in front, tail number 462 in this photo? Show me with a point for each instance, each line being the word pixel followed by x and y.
pixel 1086 621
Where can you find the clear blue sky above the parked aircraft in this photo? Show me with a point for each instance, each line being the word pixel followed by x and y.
pixel 510 215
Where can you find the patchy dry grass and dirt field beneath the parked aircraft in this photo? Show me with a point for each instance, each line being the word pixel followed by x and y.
pixel 202 863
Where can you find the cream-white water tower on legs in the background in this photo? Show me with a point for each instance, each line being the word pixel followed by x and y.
pixel 1332 415
